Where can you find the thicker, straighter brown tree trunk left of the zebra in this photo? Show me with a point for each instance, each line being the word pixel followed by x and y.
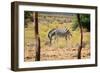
pixel 37 58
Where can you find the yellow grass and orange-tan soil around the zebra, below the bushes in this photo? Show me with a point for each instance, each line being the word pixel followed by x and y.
pixel 60 48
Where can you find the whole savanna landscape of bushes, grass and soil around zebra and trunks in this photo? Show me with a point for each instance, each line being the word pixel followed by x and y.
pixel 60 49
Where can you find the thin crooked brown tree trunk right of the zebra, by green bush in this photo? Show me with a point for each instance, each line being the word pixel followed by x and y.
pixel 81 39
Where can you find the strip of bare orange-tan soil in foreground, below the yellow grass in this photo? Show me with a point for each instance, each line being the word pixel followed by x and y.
pixel 49 53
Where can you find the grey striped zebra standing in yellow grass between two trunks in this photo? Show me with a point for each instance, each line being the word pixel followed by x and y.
pixel 59 32
